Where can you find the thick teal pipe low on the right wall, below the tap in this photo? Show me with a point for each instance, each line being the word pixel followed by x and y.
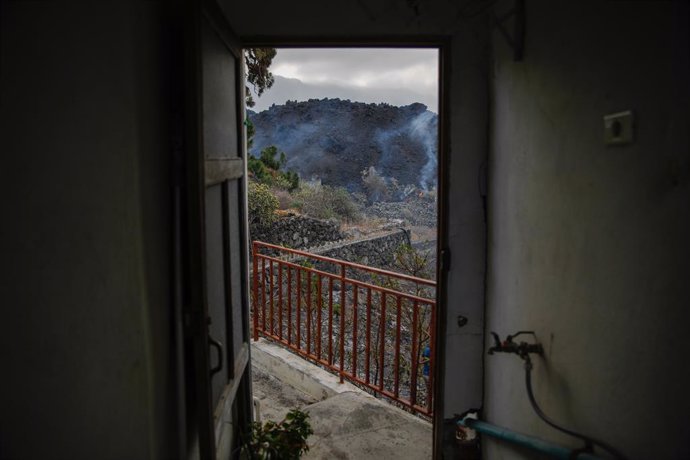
pixel 530 442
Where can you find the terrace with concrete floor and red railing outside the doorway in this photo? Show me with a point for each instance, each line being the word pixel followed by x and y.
pixel 361 334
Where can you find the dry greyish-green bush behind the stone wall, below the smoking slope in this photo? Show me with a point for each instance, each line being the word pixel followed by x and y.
pixel 325 202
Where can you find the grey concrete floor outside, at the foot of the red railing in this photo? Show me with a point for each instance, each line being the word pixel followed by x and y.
pixel 348 423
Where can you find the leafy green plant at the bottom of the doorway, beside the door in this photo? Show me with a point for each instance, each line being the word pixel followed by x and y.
pixel 286 440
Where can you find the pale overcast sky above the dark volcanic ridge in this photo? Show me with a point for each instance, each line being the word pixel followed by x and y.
pixel 393 75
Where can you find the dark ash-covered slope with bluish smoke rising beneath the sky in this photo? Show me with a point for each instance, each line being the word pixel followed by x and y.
pixel 335 140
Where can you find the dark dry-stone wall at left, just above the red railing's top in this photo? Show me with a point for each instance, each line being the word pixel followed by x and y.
pixel 298 232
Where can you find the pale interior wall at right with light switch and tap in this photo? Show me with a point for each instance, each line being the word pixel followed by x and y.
pixel 588 244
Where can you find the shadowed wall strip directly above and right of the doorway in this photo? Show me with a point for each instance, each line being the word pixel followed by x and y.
pixel 465 29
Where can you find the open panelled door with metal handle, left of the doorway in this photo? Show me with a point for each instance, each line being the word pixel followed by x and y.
pixel 216 332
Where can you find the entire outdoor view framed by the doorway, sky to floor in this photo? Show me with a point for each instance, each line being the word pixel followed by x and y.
pixel 343 166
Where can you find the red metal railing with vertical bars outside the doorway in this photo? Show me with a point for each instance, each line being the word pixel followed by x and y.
pixel 371 326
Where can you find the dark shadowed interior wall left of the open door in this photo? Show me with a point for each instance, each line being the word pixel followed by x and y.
pixel 85 332
